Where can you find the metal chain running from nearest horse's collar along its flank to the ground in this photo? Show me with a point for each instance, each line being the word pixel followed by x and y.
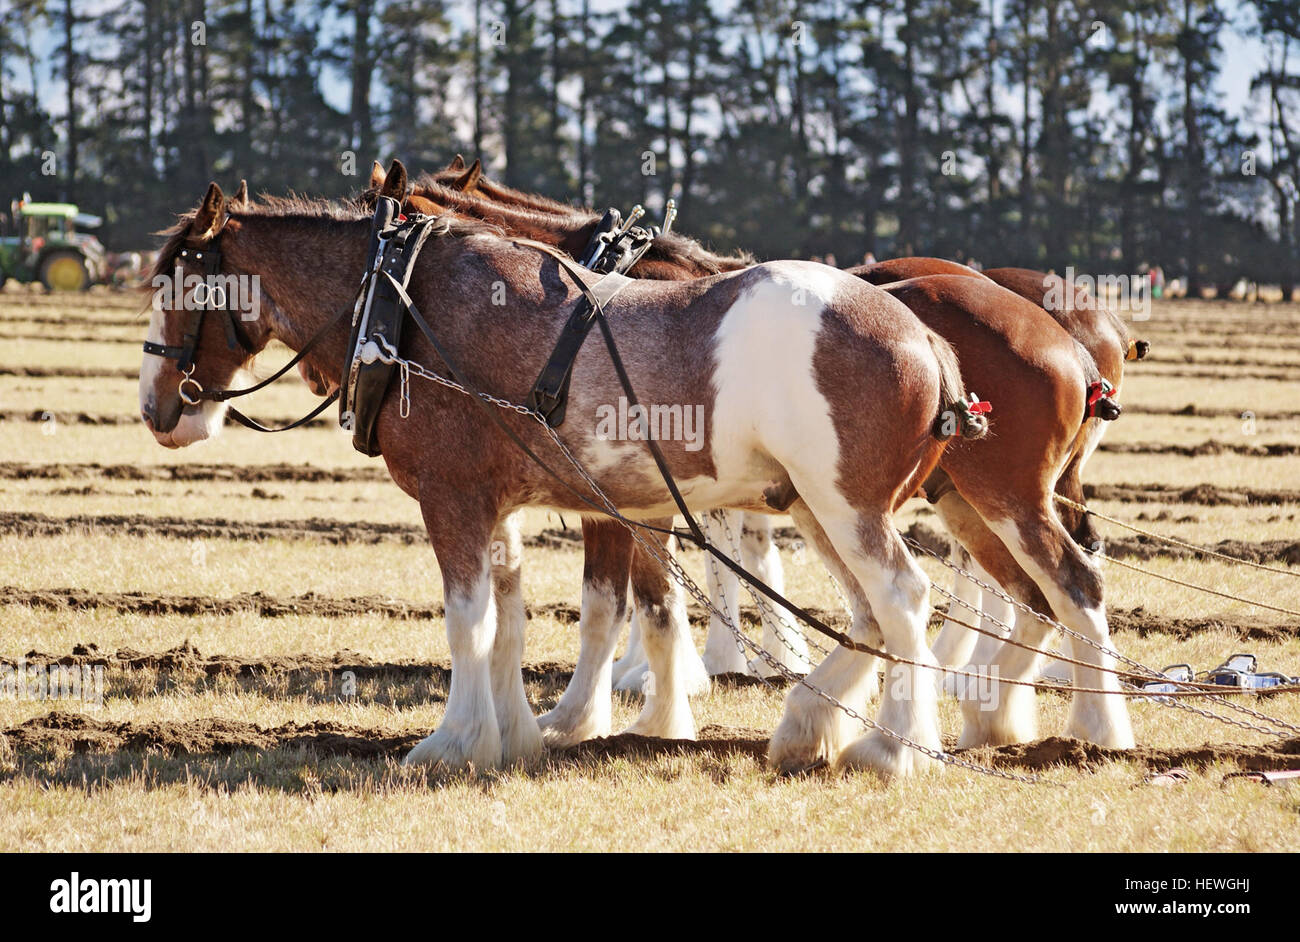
pixel 666 559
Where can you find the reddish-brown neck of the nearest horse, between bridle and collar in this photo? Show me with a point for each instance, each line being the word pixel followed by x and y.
pixel 310 271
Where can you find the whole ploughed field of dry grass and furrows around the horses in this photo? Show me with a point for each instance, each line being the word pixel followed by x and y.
pixel 266 618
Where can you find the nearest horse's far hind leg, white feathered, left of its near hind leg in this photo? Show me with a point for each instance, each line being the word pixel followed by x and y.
pixel 813 731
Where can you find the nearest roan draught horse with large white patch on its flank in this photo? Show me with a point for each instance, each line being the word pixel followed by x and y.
pixel 777 357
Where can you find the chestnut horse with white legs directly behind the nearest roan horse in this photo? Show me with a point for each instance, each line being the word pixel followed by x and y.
pixel 1002 506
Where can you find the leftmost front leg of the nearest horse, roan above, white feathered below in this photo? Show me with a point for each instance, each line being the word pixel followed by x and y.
pixel 462 541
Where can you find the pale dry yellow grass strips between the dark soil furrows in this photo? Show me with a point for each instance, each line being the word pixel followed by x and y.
pixel 294 800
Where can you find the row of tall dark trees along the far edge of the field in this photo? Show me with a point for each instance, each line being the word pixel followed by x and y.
pixel 1043 133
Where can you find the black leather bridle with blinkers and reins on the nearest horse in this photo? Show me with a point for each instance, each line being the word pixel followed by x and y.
pixel 187 351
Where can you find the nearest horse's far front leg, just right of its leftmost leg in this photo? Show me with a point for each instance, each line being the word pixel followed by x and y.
pixel 521 739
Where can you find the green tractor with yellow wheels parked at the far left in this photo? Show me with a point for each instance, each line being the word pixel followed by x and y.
pixel 45 245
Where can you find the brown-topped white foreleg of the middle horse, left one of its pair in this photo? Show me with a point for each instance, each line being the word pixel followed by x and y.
pixel 583 711
